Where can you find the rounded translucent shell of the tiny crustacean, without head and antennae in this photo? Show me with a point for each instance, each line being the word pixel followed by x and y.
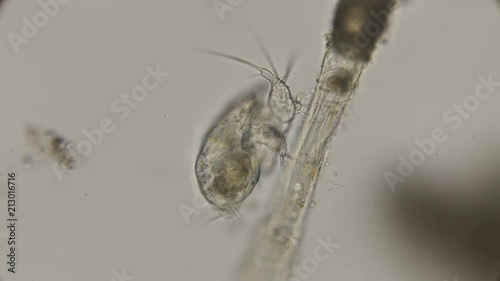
pixel 227 167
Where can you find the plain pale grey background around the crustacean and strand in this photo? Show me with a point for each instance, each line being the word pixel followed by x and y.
pixel 120 208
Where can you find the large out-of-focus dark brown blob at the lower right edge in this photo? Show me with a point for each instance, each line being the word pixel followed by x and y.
pixel 454 222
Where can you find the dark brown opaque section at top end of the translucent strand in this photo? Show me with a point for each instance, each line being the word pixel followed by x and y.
pixel 358 26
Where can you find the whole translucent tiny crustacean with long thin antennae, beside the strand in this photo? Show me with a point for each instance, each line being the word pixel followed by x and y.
pixel 232 154
